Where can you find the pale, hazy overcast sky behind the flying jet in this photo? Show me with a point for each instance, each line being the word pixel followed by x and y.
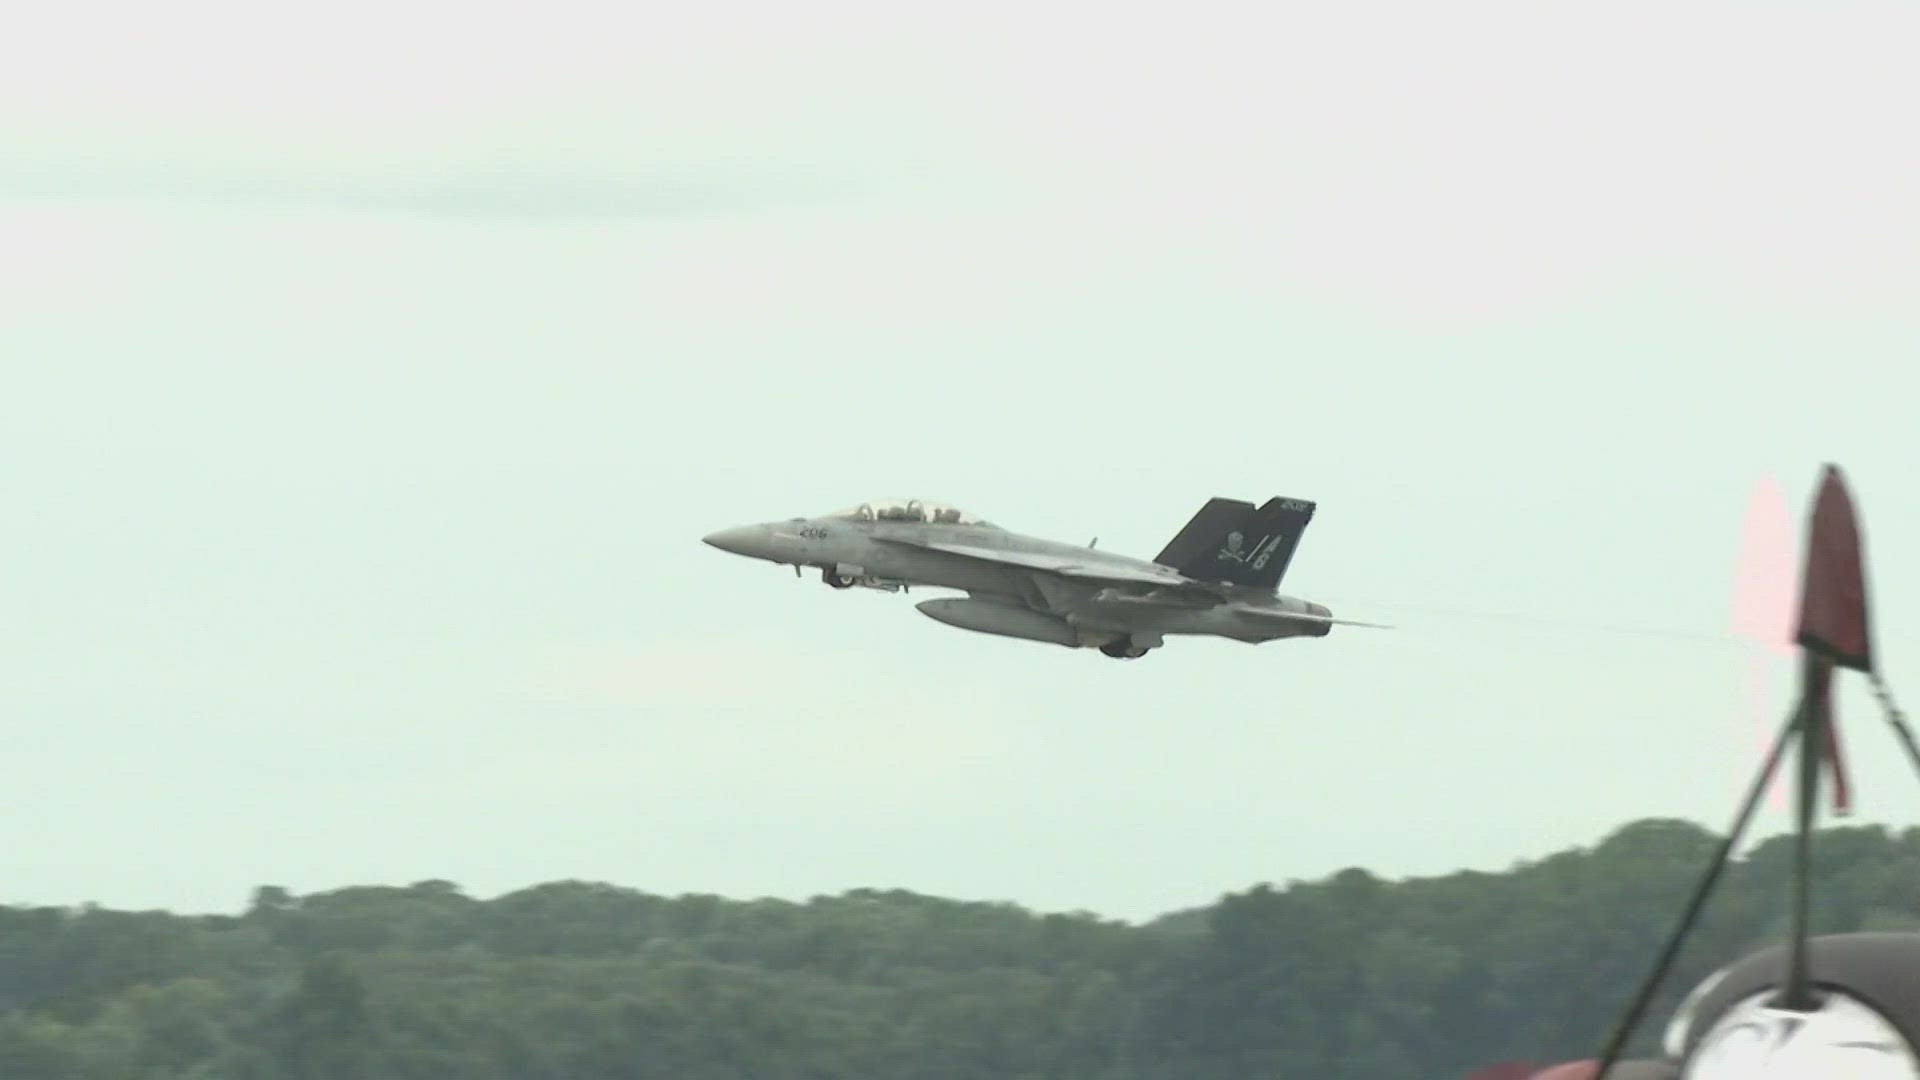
pixel 372 376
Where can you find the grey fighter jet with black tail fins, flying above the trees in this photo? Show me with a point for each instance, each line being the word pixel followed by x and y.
pixel 1218 577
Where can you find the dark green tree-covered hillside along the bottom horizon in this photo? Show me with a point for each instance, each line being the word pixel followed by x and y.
pixel 1343 979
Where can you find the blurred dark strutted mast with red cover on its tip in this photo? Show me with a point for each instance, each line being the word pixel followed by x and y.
pixel 1835 631
